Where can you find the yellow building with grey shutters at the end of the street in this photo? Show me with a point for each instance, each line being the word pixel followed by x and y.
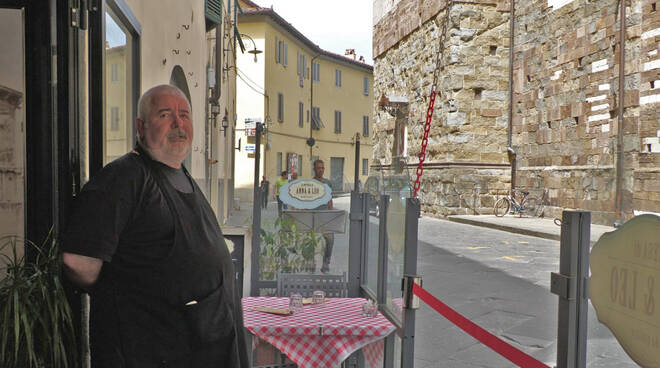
pixel 298 91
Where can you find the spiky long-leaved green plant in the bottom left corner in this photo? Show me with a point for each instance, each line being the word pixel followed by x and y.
pixel 36 323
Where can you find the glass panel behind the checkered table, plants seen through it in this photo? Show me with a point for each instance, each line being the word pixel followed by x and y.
pixel 307 242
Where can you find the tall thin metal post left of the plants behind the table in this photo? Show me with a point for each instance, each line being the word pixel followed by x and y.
pixel 256 216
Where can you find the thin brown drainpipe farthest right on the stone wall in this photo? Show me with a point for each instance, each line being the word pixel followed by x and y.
pixel 618 205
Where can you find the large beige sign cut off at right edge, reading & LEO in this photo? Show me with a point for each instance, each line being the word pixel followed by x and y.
pixel 625 286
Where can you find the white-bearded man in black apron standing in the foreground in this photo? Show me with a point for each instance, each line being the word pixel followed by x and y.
pixel 145 243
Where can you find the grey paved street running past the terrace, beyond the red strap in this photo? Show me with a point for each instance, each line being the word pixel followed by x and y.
pixel 499 280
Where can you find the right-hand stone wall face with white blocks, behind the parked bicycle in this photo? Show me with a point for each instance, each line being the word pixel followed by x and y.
pixel 566 106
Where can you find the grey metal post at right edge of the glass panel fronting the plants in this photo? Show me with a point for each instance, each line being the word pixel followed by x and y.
pixel 355 237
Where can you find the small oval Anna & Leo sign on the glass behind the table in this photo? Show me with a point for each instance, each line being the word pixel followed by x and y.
pixel 305 193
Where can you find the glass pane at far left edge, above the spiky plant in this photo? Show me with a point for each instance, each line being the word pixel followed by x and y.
pixel 12 124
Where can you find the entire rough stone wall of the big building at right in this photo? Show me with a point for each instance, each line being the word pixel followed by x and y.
pixel 565 128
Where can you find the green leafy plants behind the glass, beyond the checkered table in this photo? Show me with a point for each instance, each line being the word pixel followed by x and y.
pixel 285 248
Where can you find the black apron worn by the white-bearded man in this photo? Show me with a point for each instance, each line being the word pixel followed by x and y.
pixel 180 311
